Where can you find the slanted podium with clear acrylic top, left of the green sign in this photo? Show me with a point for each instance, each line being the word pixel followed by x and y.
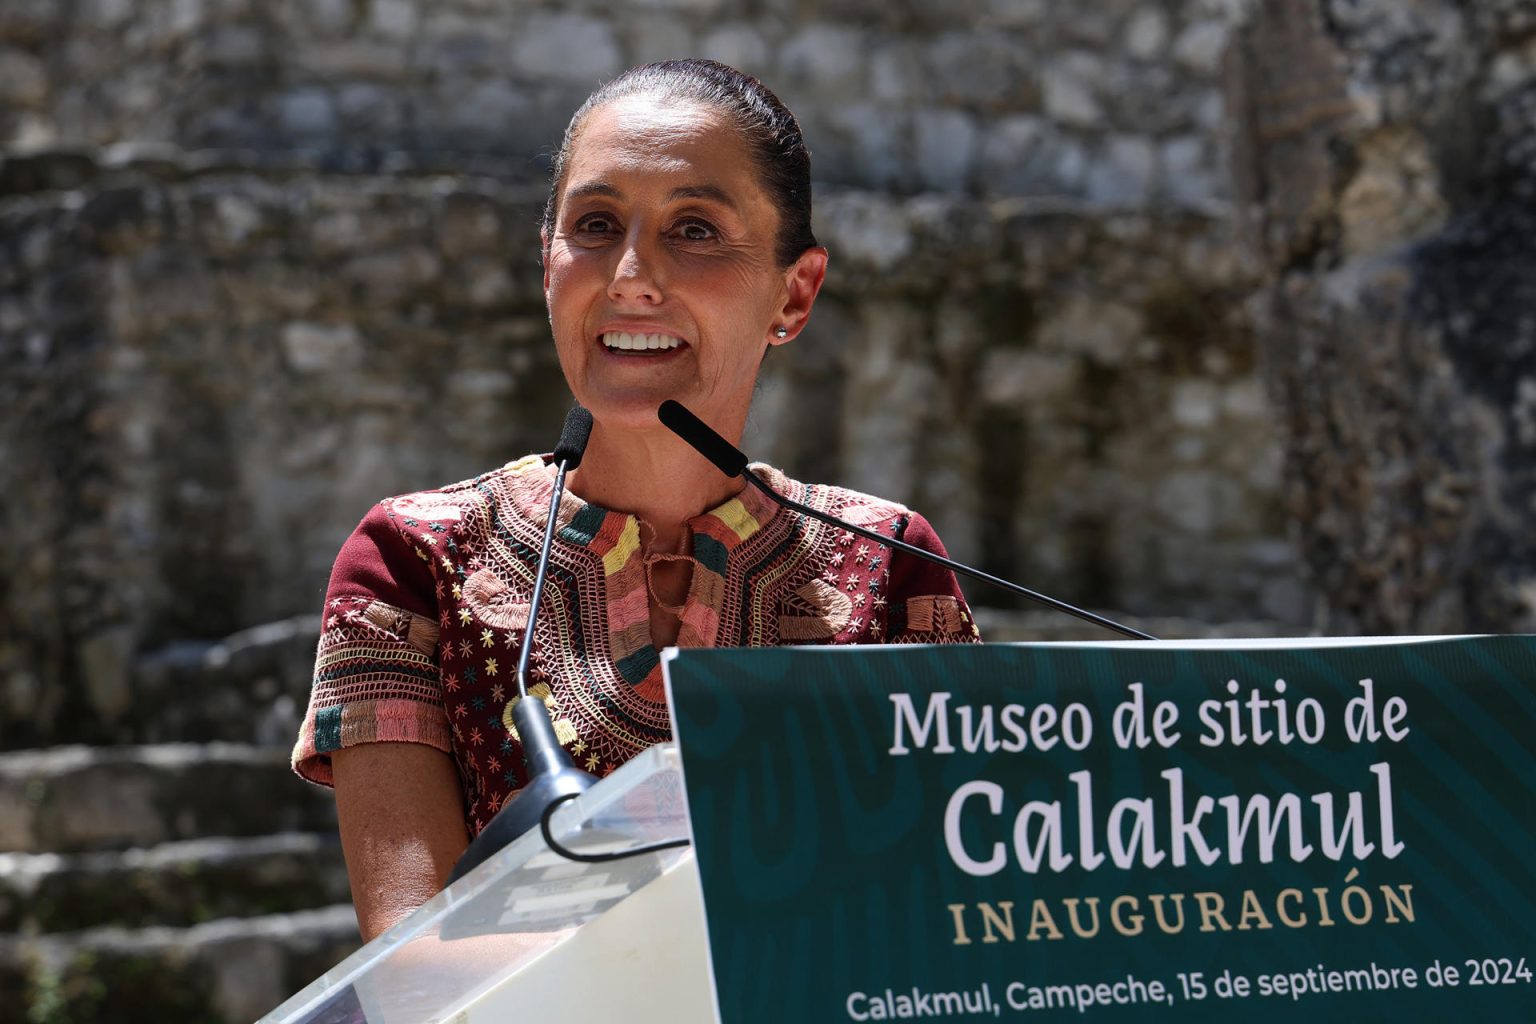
pixel 531 936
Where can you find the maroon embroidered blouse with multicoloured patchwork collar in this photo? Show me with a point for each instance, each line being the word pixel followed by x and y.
pixel 429 600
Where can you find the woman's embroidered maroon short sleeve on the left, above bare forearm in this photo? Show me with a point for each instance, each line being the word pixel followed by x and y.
pixel 377 676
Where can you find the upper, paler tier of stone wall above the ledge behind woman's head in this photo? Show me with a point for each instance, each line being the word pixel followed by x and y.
pixel 1116 102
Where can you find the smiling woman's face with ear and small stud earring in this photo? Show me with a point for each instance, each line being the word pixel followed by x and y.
pixel 660 274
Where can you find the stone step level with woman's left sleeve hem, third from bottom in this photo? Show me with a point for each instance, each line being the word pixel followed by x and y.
pixel 71 799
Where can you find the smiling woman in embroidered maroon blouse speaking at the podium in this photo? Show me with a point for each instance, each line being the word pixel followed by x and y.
pixel 678 249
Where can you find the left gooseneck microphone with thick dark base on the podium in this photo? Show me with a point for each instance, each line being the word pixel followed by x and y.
pixel 552 776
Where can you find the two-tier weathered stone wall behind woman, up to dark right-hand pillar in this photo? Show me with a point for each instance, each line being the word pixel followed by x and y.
pixel 262 263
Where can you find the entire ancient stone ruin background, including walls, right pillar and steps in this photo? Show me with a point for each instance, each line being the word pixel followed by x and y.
pixel 1211 314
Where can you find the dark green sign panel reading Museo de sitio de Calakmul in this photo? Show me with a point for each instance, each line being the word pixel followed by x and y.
pixel 1121 831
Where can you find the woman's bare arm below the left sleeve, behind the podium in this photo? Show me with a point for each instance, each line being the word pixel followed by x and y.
pixel 402 821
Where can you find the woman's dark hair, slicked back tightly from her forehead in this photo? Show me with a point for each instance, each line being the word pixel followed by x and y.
pixel 772 134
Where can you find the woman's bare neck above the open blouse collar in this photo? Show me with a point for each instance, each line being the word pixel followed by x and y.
pixel 654 475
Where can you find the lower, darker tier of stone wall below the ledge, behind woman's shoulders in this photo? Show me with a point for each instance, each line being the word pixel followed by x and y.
pixel 217 371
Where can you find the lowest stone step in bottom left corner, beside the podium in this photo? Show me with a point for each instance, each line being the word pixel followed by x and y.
pixel 225 973
